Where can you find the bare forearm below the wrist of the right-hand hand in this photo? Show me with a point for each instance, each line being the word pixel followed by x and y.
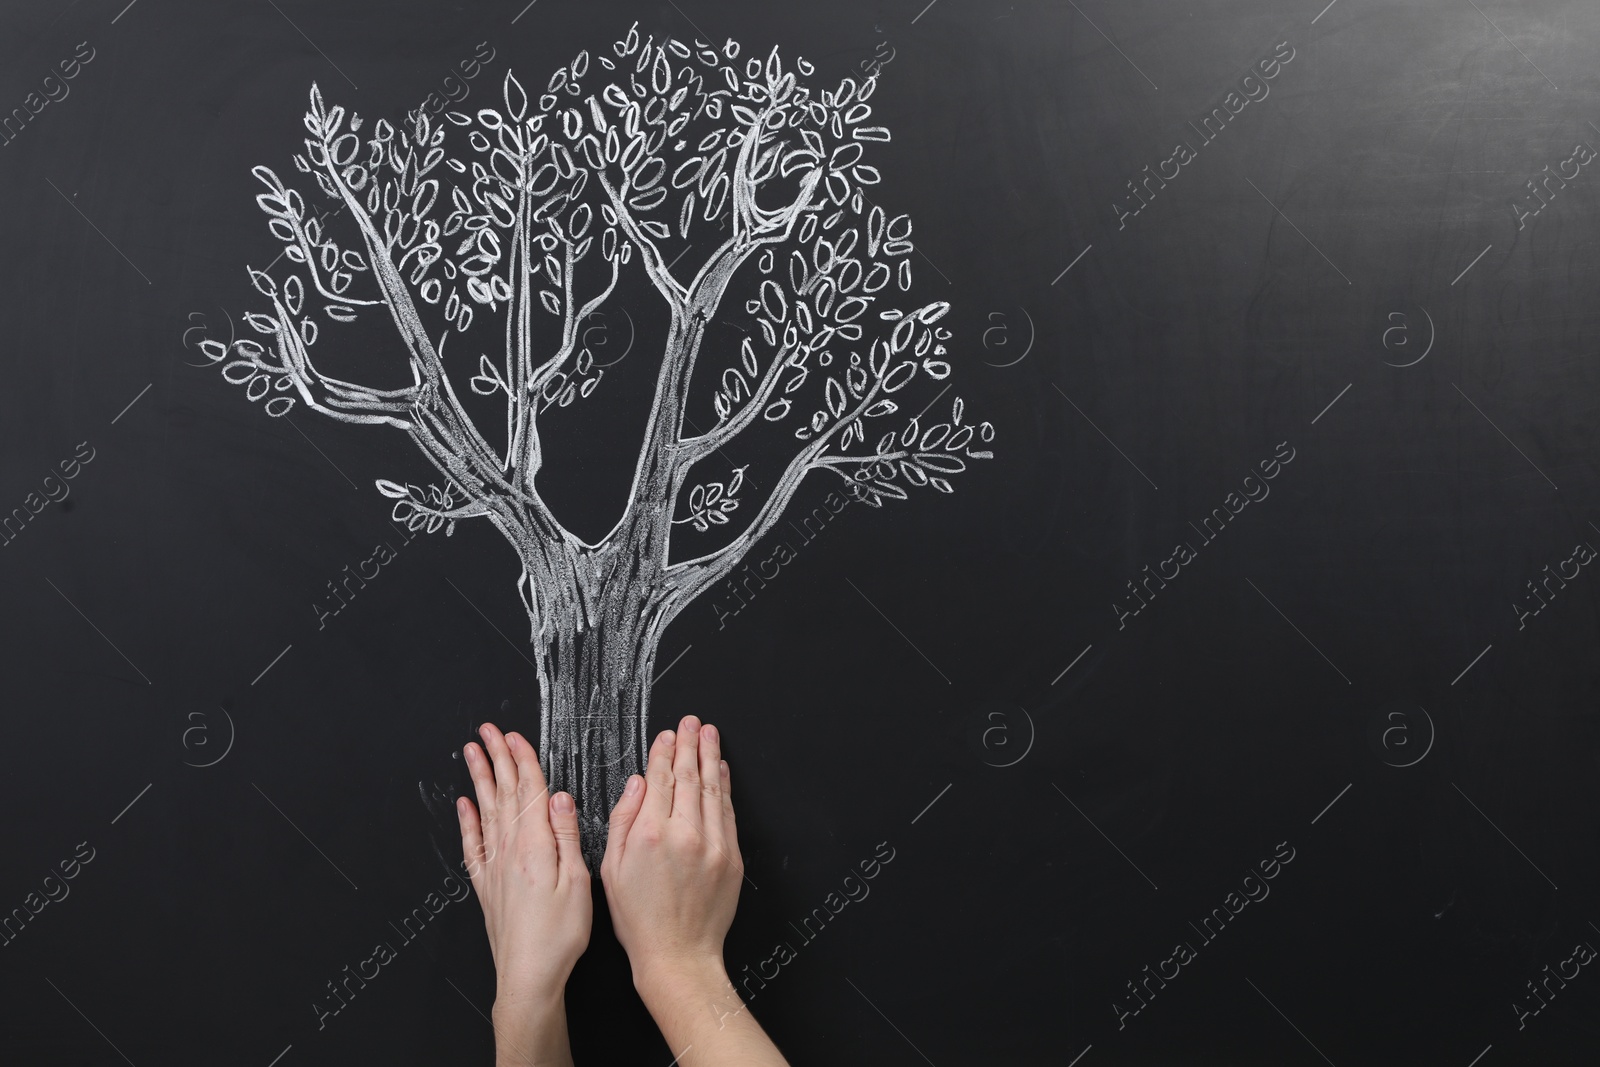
pixel 705 1020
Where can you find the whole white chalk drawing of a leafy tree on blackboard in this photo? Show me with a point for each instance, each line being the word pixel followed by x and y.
pixel 718 180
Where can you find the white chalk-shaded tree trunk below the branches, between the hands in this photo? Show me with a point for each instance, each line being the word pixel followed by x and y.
pixel 594 681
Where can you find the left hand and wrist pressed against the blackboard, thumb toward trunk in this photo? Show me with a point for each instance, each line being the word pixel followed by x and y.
pixel 521 849
